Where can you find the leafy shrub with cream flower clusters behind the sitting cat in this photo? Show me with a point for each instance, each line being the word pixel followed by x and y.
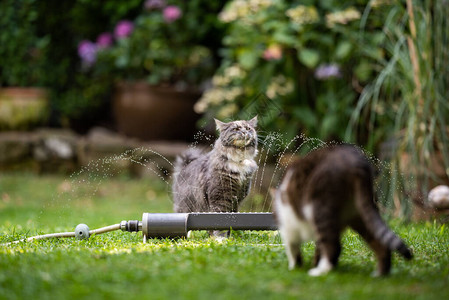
pixel 307 59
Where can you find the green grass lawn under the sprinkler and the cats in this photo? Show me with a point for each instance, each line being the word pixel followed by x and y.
pixel 250 265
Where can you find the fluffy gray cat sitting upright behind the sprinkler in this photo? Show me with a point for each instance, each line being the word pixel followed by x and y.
pixel 217 181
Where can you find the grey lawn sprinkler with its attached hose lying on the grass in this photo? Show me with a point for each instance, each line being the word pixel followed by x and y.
pixel 173 225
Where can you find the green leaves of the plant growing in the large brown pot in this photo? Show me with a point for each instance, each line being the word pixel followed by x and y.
pixel 166 52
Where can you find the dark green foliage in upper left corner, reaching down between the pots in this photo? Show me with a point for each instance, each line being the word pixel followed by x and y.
pixel 39 47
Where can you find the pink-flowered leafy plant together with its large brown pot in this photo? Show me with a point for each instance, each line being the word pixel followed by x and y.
pixel 159 62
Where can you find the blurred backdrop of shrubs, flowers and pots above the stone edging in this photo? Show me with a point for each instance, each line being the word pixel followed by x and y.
pixel 371 73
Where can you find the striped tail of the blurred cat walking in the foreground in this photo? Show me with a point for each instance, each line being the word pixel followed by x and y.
pixel 372 219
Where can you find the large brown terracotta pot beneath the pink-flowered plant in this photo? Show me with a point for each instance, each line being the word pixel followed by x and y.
pixel 154 112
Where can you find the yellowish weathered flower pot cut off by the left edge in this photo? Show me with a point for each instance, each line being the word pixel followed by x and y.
pixel 22 108
